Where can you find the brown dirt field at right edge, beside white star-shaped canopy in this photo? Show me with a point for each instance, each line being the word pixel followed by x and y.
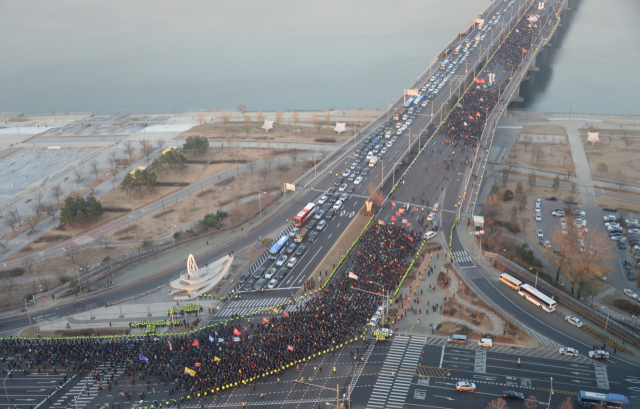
pixel 617 156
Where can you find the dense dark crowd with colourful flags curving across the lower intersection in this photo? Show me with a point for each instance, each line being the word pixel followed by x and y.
pixel 238 352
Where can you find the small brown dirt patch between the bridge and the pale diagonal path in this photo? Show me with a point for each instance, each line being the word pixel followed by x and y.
pixel 553 158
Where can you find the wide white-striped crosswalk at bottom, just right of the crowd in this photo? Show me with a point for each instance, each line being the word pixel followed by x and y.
pixel 395 377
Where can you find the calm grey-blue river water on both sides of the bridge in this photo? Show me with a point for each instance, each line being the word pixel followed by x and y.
pixel 106 56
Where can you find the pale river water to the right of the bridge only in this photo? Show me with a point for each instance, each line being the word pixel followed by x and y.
pixel 592 64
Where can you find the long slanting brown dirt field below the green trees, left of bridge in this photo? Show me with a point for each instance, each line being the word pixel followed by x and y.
pixel 208 201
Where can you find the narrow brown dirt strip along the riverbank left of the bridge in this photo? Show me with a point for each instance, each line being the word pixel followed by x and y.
pixel 287 132
